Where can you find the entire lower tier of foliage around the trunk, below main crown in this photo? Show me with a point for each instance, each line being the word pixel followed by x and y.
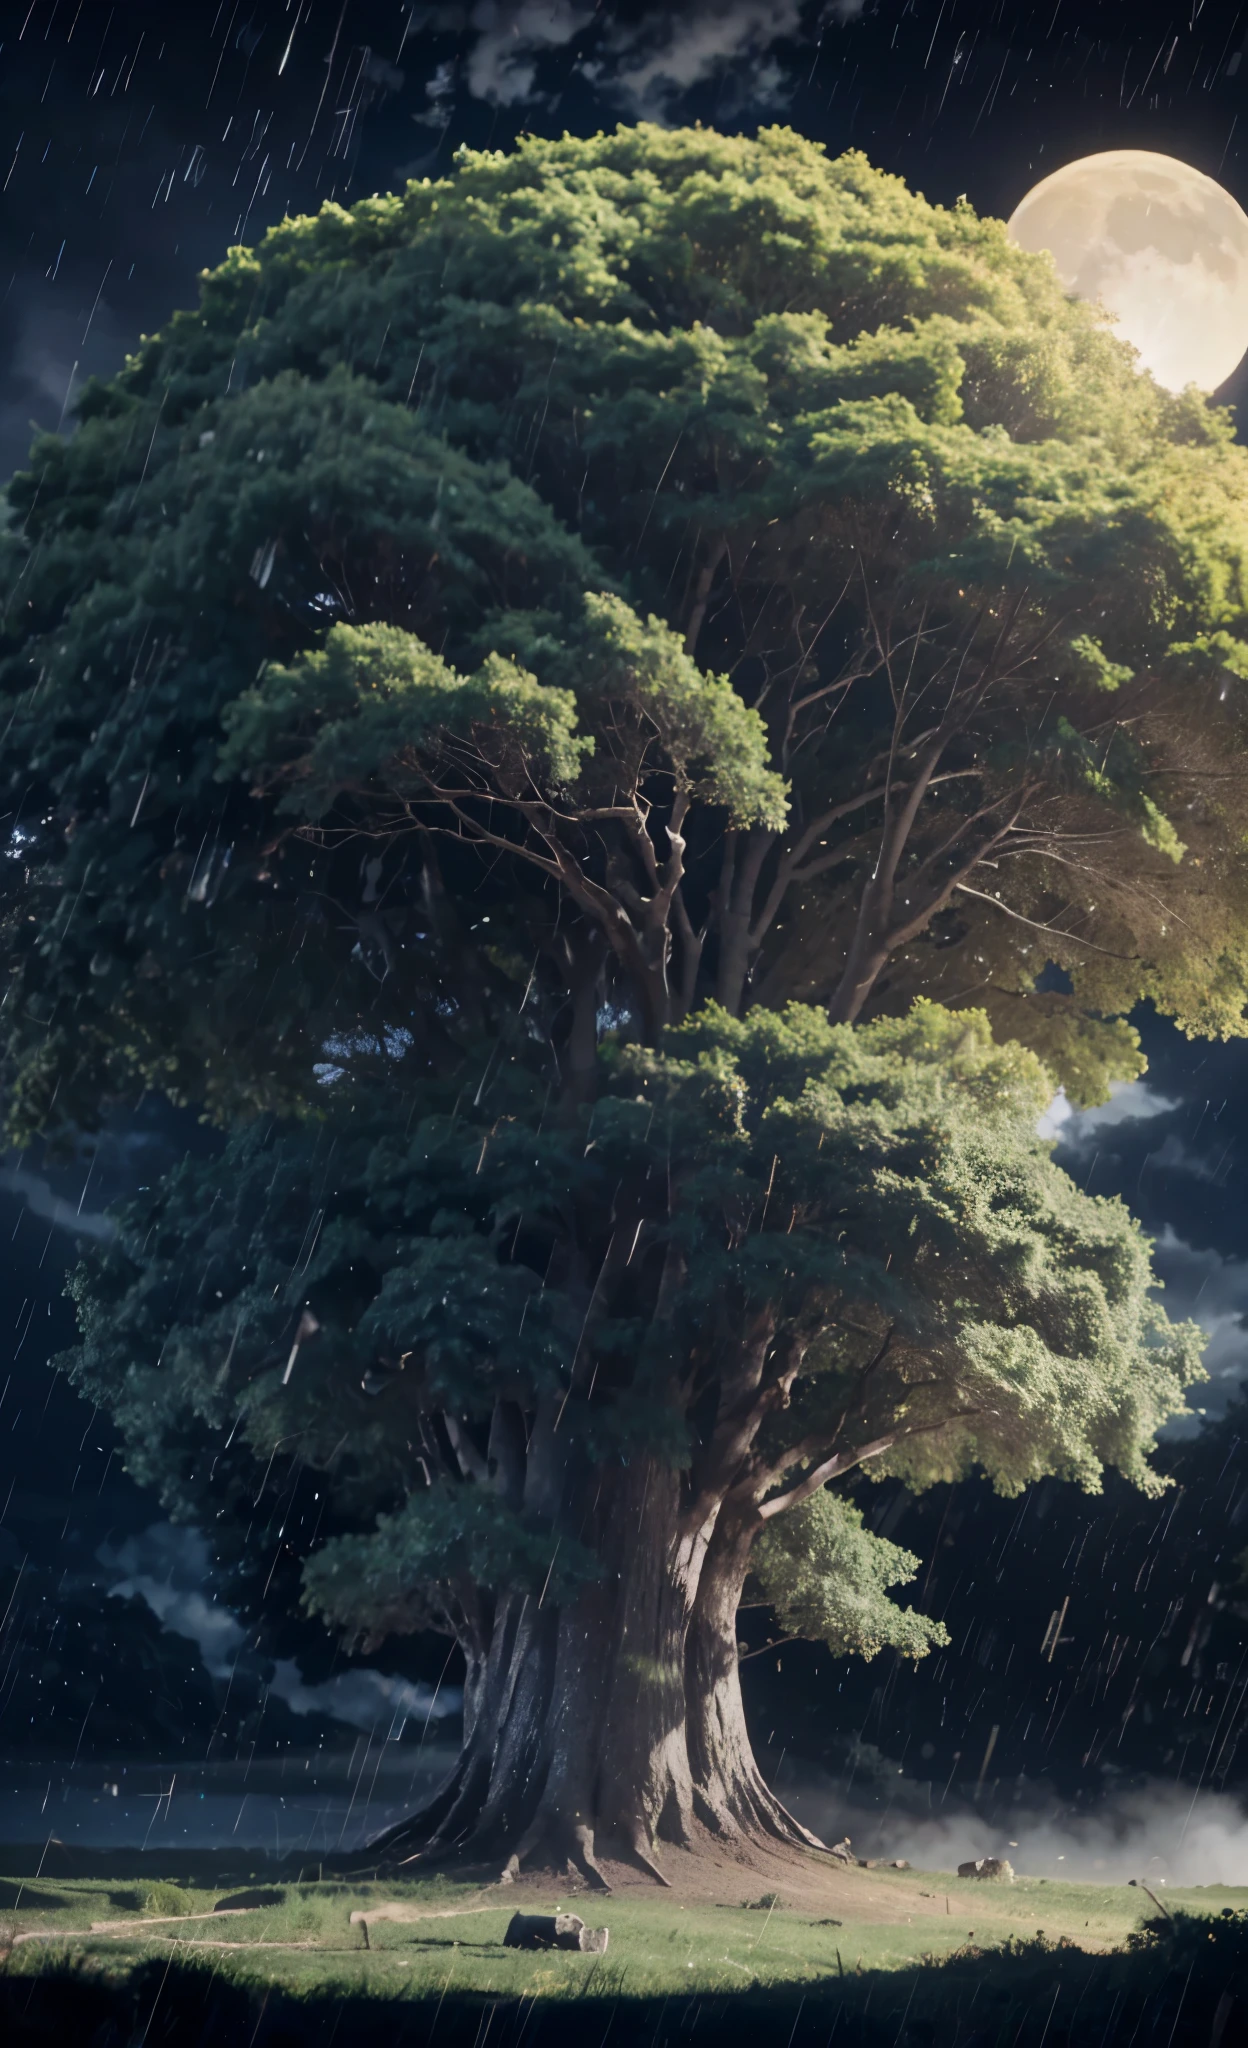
pixel 409 1306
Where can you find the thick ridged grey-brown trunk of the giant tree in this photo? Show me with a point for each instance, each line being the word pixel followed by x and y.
pixel 614 1725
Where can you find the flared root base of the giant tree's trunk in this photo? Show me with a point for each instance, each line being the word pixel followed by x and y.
pixel 585 1744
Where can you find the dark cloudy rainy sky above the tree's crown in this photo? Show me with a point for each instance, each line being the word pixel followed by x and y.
pixel 138 146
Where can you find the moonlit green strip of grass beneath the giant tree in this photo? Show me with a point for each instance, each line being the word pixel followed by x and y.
pixel 433 1934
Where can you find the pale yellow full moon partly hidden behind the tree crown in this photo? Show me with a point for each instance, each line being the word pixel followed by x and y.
pixel 1161 245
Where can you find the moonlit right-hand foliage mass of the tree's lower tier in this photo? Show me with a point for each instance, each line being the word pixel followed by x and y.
pixel 903 1158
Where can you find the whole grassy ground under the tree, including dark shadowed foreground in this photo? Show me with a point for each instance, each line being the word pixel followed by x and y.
pixel 905 1945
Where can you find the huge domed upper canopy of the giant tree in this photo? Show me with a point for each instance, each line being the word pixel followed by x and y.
pixel 712 562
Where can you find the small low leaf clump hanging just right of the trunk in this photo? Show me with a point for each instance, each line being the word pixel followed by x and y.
pixel 829 1578
